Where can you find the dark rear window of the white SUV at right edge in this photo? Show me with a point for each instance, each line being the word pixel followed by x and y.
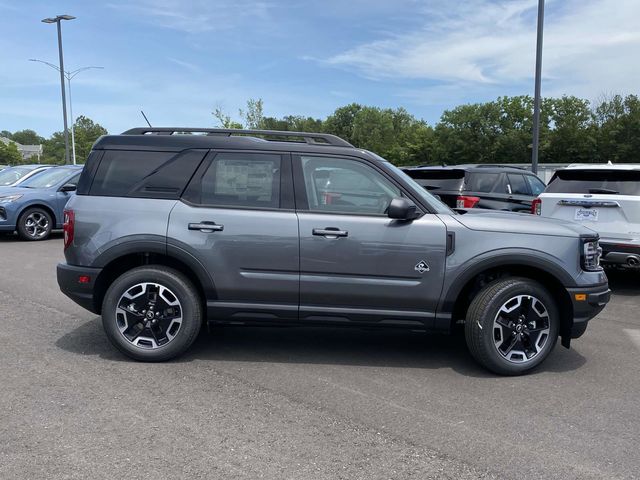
pixel 614 182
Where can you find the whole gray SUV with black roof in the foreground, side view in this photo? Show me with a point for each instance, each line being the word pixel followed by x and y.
pixel 172 227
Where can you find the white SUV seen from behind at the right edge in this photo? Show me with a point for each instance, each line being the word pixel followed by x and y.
pixel 605 198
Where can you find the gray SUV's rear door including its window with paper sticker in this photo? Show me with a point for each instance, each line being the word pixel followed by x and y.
pixel 237 218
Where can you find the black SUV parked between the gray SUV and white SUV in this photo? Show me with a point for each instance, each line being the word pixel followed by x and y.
pixel 480 186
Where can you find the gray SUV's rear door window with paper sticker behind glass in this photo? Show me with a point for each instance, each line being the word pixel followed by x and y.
pixel 243 180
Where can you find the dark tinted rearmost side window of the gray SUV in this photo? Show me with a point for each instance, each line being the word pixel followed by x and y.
pixel 145 174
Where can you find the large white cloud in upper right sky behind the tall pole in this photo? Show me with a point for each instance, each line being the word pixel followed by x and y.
pixel 590 46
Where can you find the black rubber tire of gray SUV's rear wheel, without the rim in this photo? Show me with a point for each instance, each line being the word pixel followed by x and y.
pixel 181 288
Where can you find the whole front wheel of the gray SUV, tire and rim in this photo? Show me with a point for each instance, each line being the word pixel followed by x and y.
pixel 512 326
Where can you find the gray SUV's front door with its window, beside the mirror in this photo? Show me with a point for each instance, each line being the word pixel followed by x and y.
pixel 357 264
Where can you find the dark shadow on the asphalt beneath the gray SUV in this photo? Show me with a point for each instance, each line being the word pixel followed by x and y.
pixel 322 346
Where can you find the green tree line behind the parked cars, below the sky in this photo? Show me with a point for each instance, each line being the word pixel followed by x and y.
pixel 572 131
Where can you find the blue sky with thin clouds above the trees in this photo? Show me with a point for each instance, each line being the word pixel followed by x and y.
pixel 179 60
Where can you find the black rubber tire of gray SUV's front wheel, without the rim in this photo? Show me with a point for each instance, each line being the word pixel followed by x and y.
pixel 522 287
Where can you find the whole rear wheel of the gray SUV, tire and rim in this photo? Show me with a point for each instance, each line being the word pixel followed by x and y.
pixel 128 313
